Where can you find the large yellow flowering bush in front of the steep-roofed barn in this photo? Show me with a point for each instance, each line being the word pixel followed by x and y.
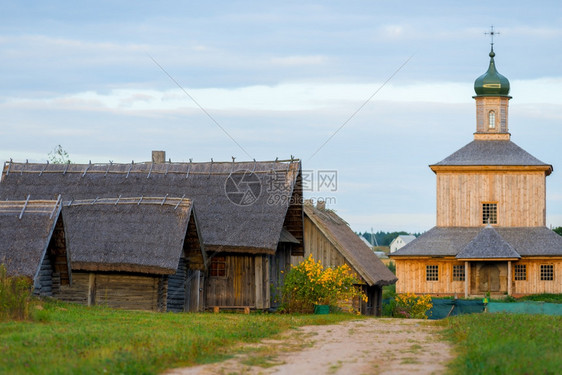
pixel 310 283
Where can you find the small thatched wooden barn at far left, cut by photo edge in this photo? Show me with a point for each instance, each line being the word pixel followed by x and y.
pixel 32 244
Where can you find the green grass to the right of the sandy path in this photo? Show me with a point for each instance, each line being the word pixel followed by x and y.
pixel 506 343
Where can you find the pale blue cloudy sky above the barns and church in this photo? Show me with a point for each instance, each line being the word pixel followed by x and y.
pixel 366 93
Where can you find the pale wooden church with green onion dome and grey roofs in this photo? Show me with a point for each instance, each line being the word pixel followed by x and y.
pixel 491 234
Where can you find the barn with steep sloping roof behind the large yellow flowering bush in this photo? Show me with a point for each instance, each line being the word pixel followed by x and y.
pixel 328 238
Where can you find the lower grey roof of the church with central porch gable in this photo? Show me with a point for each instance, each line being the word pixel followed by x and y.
pixel 450 241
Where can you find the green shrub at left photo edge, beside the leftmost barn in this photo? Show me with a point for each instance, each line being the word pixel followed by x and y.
pixel 15 294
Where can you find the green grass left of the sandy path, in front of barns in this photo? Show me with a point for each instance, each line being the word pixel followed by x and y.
pixel 70 339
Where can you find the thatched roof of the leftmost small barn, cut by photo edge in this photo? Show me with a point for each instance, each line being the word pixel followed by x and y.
pixel 26 229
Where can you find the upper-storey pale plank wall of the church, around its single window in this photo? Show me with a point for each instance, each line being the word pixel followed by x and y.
pixel 521 198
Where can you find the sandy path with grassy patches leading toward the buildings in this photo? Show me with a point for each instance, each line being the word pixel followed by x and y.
pixel 372 346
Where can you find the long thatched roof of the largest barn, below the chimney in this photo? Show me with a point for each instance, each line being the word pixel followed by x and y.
pixel 241 207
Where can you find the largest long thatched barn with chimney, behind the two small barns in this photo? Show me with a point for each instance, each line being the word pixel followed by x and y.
pixel 249 213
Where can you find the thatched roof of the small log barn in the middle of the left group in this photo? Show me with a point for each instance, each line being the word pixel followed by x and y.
pixel 127 234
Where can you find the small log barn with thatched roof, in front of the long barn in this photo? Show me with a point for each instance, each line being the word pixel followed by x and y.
pixel 134 253
